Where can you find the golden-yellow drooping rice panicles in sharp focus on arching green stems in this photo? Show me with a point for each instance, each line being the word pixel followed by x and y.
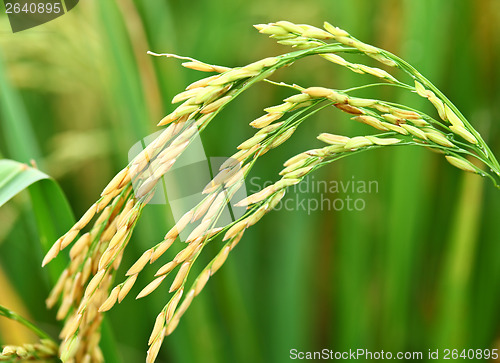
pixel 88 286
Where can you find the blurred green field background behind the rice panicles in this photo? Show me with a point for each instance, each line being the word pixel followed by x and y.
pixel 416 269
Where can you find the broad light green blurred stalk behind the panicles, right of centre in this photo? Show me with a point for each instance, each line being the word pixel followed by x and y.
pixel 410 186
